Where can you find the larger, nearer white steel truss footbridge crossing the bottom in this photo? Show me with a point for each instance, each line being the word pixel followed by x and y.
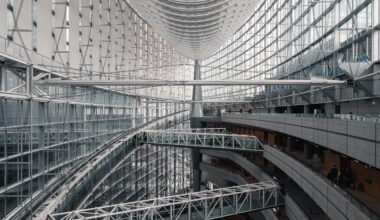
pixel 210 204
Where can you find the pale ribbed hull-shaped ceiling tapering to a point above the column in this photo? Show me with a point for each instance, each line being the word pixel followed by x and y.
pixel 196 28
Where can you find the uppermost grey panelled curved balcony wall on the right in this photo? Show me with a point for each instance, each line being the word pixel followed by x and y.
pixel 357 139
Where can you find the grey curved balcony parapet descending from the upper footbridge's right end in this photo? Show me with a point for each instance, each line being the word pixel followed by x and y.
pixel 332 199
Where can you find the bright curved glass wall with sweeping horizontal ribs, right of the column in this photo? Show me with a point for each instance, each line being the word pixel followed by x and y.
pixel 294 39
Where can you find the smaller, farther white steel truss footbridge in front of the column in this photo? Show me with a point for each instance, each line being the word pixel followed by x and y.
pixel 202 140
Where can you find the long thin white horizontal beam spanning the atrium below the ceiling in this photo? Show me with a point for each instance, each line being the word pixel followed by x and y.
pixel 136 82
